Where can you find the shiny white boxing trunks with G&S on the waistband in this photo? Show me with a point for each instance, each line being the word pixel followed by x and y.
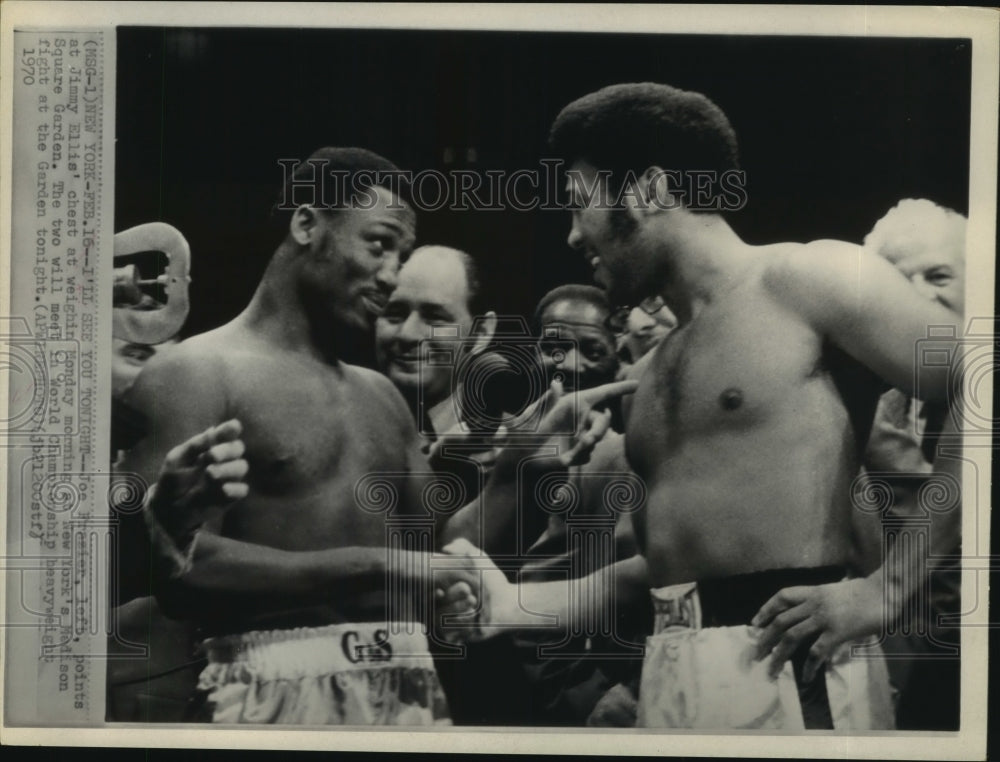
pixel 345 674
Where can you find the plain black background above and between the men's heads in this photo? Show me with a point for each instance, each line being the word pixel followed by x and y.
pixel 833 132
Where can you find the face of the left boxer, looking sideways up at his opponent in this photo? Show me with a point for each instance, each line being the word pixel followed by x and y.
pixel 353 265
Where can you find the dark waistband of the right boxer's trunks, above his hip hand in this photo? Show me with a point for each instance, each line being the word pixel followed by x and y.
pixel 730 601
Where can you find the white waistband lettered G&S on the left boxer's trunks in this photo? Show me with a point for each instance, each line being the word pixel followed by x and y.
pixel 320 651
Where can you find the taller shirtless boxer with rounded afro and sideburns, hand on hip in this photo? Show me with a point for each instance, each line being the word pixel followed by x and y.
pixel 748 427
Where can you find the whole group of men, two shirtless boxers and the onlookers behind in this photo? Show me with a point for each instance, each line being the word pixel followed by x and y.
pixel 664 532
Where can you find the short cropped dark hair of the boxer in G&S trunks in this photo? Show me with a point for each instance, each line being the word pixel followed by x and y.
pixel 333 177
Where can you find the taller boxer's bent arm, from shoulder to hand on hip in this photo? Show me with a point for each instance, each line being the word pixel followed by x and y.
pixel 865 306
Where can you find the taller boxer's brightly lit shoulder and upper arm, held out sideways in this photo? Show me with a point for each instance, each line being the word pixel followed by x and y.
pixel 866 307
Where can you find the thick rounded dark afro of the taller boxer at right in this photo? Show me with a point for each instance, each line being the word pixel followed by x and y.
pixel 628 128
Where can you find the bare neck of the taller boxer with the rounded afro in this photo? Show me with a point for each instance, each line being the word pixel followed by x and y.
pixel 705 259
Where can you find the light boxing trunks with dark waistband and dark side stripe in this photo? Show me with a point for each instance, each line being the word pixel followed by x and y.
pixel 700 669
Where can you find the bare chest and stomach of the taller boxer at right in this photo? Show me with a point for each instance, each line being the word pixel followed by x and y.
pixel 741 432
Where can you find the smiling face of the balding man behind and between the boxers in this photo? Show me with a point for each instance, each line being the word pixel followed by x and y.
pixel 431 299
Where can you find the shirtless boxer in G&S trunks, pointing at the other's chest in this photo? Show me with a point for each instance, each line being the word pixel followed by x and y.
pixel 290 584
